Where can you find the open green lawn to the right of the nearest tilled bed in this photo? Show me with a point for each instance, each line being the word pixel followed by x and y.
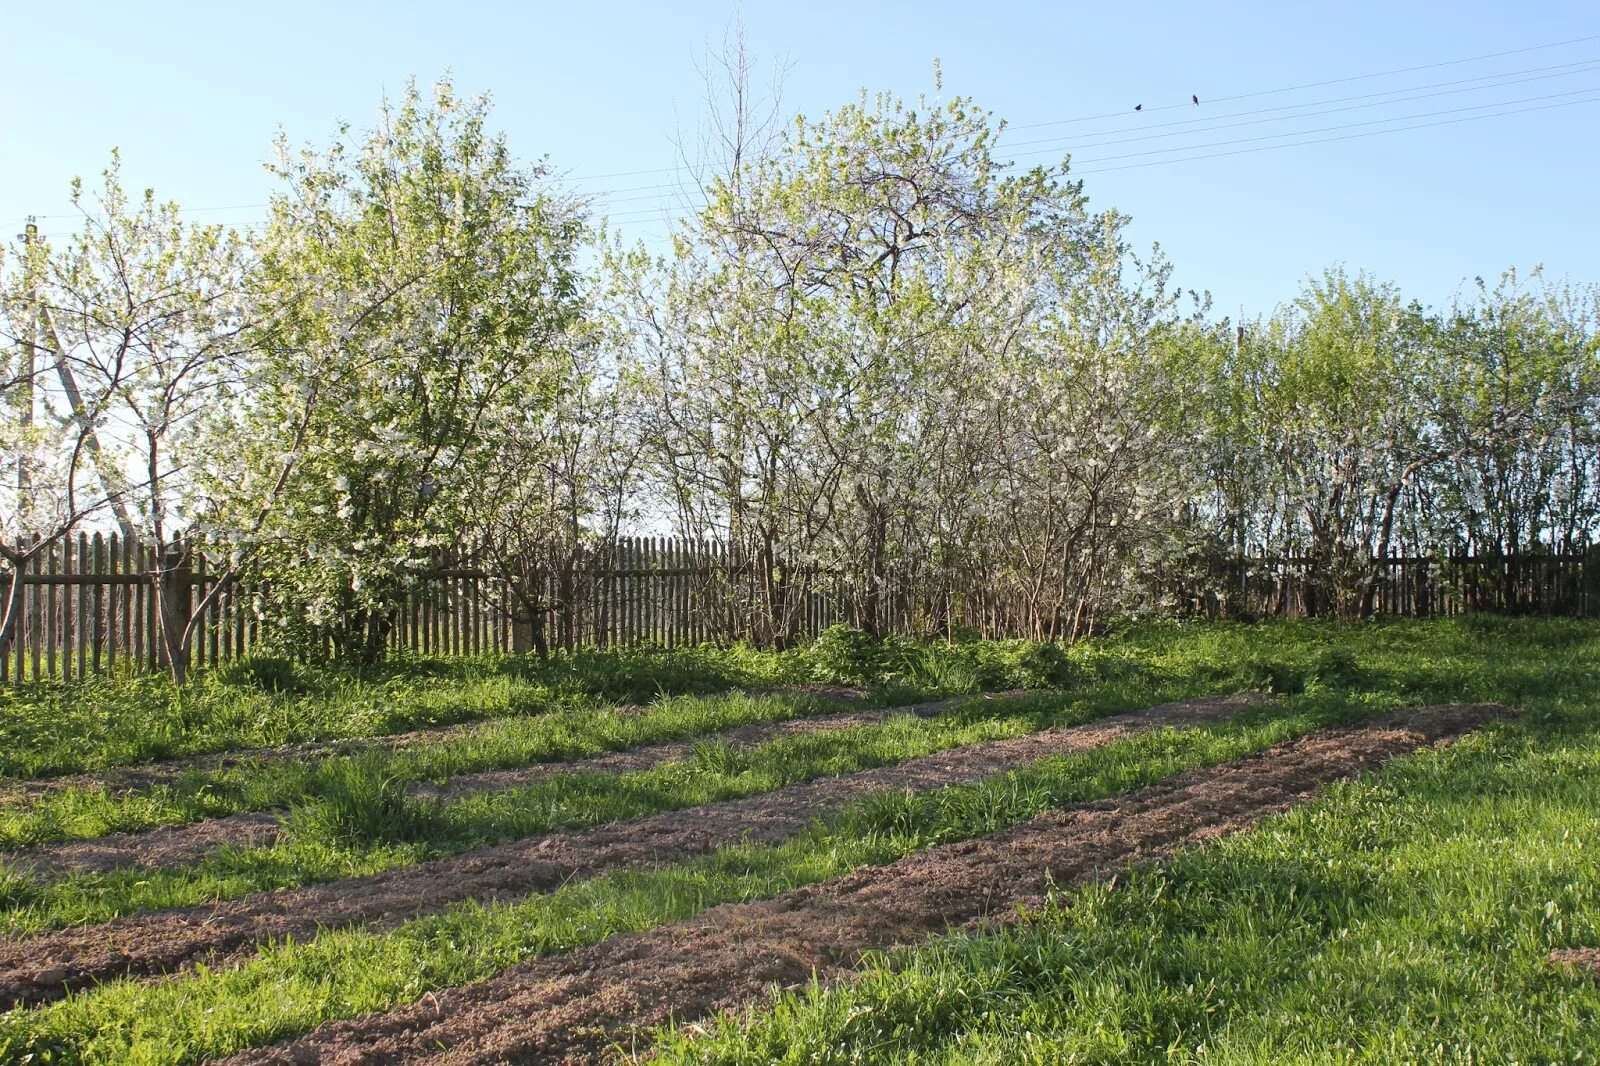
pixel 1402 920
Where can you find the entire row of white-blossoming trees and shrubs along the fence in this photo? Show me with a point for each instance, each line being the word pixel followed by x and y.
pixel 876 350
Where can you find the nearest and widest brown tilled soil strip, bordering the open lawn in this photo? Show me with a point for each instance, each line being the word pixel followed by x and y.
pixel 580 1006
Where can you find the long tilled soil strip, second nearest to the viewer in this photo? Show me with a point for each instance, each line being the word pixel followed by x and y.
pixel 46 966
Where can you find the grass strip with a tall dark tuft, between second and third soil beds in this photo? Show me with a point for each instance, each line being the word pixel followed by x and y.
pixel 362 822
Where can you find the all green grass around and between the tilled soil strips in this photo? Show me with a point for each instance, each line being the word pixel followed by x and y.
pixel 1401 916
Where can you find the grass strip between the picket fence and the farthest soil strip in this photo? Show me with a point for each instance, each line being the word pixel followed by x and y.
pixel 118 719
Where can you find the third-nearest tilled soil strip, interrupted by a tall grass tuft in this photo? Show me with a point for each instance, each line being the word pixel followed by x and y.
pixel 182 846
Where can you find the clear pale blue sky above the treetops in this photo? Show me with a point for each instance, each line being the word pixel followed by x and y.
pixel 194 94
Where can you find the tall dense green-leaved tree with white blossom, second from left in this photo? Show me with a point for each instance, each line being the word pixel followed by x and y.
pixel 426 284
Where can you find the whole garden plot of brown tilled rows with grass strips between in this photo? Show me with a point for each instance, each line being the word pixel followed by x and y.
pixel 578 899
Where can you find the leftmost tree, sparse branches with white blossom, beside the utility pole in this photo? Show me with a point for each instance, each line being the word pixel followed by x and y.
pixel 140 335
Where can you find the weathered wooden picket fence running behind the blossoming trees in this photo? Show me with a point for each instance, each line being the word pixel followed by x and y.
pixel 89 603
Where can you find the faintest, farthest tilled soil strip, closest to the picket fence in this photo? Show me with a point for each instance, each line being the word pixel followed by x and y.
pixel 151 775
